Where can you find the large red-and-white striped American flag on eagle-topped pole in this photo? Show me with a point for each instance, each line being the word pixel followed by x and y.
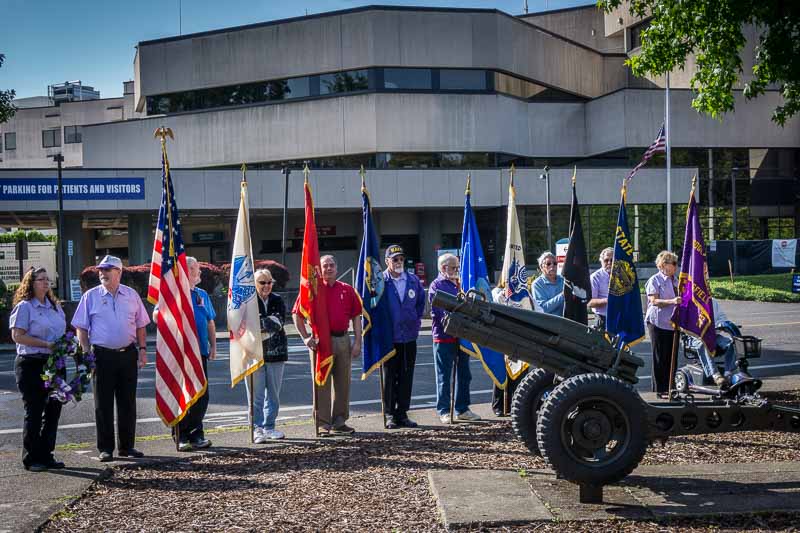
pixel 180 379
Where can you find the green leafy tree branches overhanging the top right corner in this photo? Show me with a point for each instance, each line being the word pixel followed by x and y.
pixel 712 30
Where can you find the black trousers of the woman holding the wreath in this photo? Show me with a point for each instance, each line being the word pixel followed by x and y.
pixel 41 412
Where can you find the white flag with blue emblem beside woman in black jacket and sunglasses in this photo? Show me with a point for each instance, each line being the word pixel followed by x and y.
pixel 244 325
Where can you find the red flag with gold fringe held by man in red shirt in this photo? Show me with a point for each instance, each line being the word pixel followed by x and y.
pixel 311 302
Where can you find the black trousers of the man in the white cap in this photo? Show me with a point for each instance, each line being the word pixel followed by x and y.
pixel 115 380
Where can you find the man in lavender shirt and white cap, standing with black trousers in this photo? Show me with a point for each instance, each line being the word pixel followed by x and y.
pixel 111 319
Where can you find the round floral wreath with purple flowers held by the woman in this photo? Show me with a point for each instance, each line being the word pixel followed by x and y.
pixel 54 373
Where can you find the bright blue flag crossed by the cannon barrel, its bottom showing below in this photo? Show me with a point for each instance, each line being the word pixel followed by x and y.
pixel 475 276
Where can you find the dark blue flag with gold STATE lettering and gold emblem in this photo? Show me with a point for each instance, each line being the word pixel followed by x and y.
pixel 624 310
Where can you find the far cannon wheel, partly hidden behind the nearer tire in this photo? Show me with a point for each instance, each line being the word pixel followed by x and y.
pixel 528 398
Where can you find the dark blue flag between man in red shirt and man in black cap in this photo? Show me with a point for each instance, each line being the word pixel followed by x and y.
pixel 375 318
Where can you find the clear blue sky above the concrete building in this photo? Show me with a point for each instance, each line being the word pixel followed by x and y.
pixel 50 41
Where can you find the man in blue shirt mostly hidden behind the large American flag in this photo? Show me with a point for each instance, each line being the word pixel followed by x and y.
pixel 190 428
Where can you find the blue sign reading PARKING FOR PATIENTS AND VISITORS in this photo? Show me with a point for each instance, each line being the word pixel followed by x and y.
pixel 21 189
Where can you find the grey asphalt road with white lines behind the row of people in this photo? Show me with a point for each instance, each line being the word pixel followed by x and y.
pixel 777 324
